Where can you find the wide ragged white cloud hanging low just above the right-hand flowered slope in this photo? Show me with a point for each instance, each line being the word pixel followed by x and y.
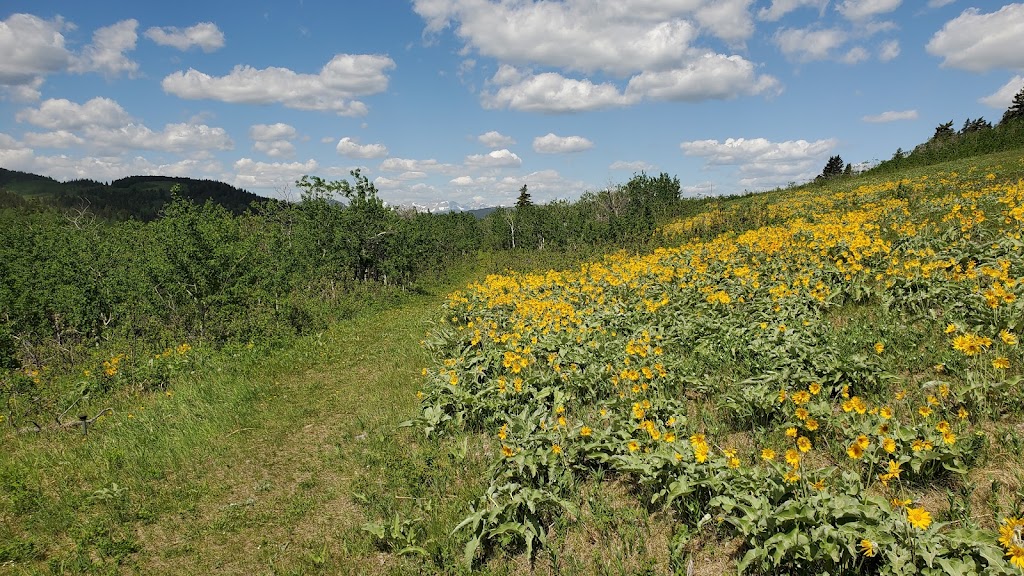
pixel 763 163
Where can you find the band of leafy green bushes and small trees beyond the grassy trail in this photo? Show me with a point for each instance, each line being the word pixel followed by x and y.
pixel 73 281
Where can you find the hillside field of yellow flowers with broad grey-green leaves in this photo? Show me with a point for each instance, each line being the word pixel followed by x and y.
pixel 807 383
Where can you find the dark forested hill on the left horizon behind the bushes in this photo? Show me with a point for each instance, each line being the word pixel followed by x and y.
pixel 136 197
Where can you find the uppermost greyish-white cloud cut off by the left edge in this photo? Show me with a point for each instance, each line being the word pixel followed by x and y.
pixel 32 48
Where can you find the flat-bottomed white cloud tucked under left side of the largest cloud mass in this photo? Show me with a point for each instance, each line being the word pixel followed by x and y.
pixel 552 93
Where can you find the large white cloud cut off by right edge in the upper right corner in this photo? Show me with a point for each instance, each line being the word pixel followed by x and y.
pixel 979 43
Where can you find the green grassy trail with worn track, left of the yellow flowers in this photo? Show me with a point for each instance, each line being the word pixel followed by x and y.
pixel 247 472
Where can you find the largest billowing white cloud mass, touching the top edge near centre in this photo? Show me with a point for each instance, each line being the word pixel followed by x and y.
pixel 652 45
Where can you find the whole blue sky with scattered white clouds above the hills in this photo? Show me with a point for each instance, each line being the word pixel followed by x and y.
pixel 464 102
